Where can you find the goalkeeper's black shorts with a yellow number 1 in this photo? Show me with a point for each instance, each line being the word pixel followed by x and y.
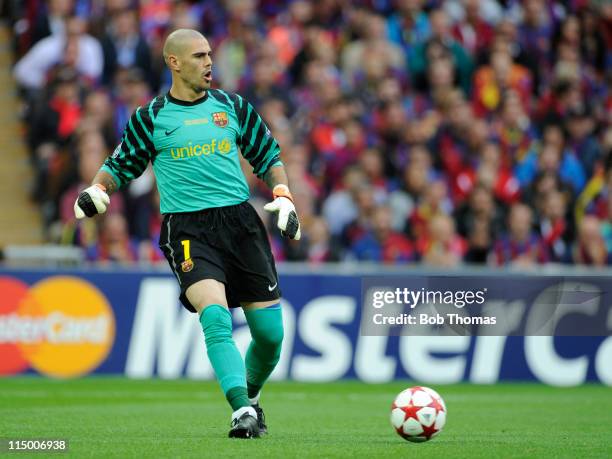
pixel 228 244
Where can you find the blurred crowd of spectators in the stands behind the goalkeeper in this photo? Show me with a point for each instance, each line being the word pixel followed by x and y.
pixel 437 132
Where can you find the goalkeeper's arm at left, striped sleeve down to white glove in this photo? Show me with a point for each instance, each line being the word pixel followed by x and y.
pixel 128 161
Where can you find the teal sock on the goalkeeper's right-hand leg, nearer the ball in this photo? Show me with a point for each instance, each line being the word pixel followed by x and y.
pixel 266 325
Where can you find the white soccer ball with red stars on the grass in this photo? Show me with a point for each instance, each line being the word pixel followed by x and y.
pixel 418 414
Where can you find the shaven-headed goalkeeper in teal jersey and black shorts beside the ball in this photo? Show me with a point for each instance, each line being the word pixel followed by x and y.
pixel 215 243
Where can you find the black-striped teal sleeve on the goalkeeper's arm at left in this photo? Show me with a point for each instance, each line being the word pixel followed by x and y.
pixel 130 158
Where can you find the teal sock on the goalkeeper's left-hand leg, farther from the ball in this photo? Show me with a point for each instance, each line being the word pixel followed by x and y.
pixel 223 354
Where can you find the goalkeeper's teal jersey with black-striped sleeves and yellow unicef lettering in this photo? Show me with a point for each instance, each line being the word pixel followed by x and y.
pixel 193 147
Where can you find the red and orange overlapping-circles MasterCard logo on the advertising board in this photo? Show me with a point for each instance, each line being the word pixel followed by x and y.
pixel 61 326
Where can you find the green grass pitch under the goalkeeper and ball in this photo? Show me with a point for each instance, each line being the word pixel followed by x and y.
pixel 116 417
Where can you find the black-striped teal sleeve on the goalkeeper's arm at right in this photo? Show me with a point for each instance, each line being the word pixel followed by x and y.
pixel 256 142
